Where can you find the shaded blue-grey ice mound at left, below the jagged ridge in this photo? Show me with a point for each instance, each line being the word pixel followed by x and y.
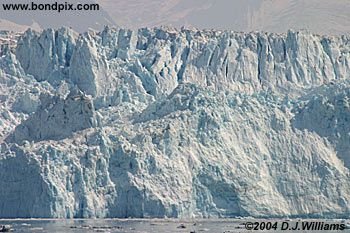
pixel 56 119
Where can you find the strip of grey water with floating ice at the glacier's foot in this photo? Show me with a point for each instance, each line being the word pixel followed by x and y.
pixel 138 226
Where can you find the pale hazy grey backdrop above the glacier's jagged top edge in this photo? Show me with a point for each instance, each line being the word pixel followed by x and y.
pixel 320 16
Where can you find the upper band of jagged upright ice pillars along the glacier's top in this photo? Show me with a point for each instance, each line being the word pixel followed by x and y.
pixel 163 58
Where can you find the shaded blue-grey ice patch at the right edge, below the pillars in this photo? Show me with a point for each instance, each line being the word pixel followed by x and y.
pixel 328 116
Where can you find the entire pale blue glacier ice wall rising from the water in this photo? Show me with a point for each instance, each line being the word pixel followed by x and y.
pixel 174 123
